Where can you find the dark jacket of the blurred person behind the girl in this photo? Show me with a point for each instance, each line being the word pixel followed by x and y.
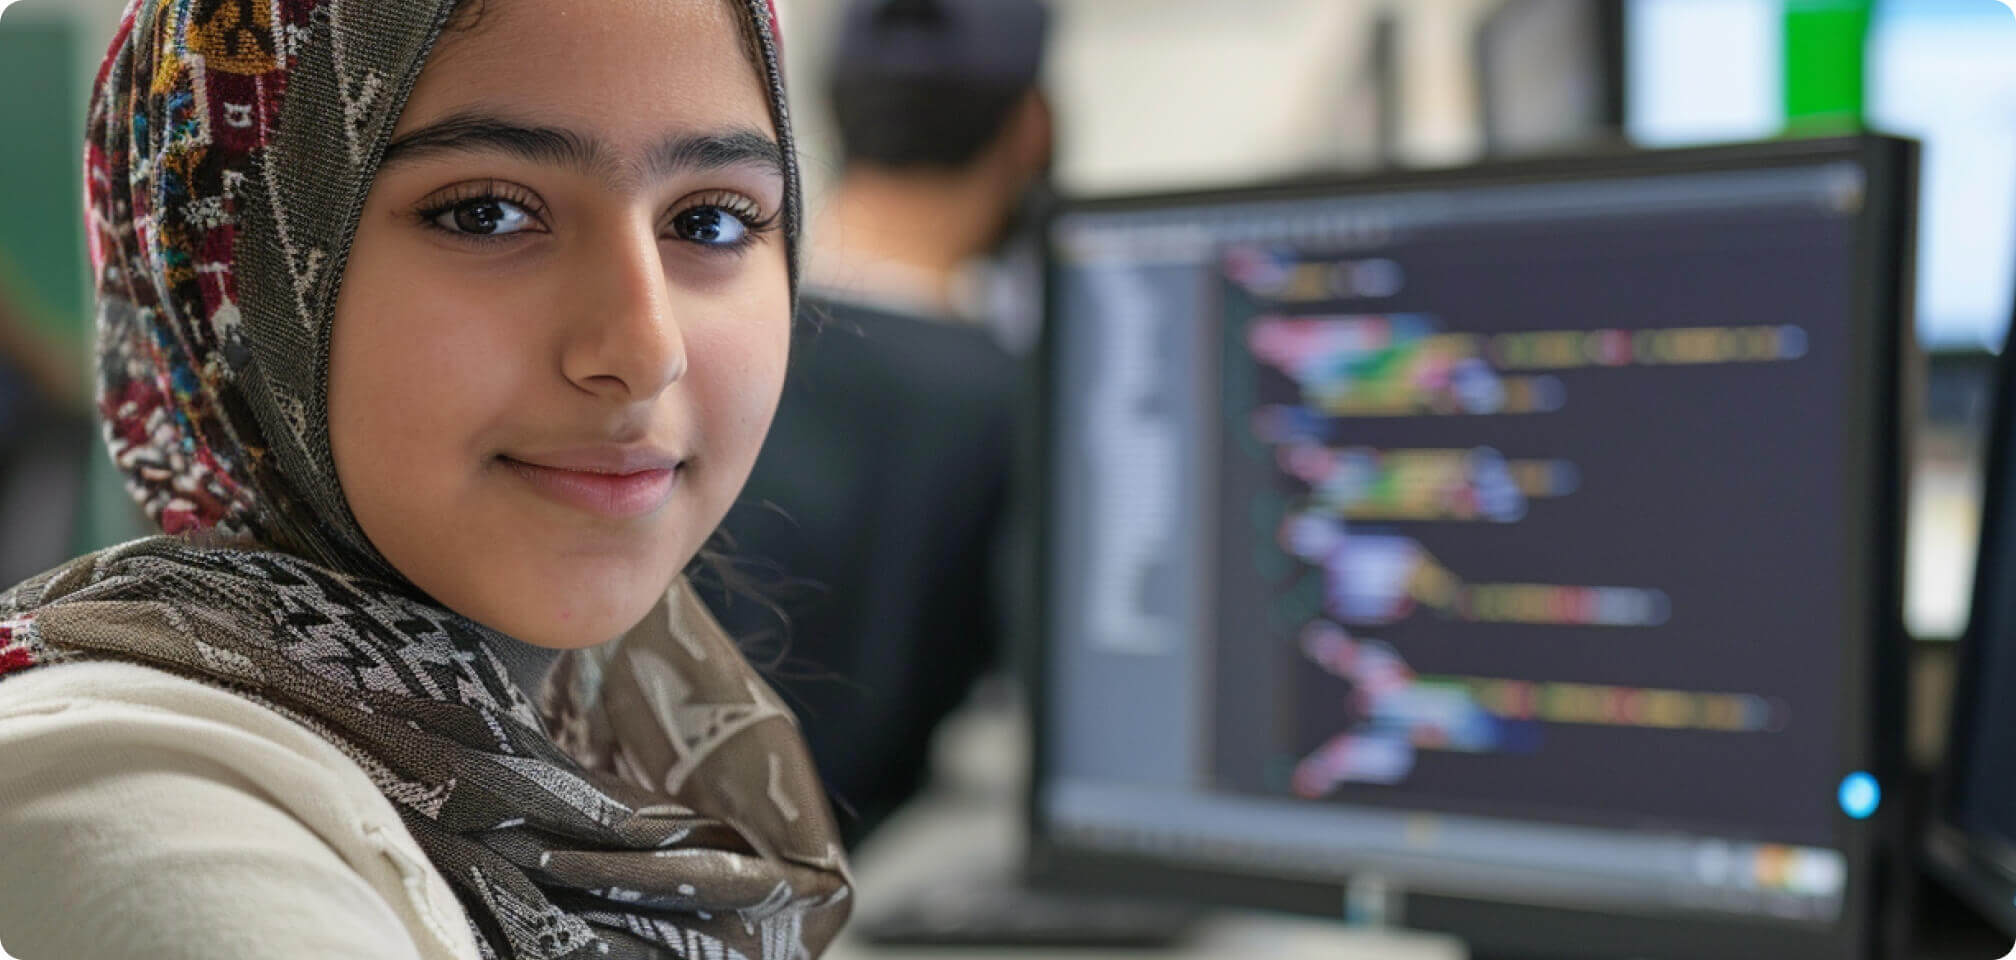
pixel 874 523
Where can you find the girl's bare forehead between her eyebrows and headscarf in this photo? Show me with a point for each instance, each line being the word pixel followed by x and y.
pixel 626 70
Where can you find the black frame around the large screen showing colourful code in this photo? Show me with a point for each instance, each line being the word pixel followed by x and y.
pixel 1874 671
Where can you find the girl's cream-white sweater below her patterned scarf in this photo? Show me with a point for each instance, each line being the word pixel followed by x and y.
pixel 154 818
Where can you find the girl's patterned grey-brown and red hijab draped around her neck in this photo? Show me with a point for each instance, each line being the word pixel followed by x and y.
pixel 654 798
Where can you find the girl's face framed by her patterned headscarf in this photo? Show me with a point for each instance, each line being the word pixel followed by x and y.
pixel 565 320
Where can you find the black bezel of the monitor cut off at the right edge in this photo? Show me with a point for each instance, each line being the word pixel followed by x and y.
pixel 1950 852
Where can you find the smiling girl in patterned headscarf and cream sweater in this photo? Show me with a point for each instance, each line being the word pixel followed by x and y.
pixel 451 332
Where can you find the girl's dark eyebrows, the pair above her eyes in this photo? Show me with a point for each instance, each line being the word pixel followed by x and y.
pixel 565 148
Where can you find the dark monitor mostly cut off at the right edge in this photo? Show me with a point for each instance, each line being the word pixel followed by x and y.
pixel 1973 828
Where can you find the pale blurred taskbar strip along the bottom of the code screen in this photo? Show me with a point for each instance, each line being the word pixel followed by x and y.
pixel 1477 858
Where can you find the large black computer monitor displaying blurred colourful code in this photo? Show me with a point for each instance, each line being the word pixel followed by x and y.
pixel 1513 550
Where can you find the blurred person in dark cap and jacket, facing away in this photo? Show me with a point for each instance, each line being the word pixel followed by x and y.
pixel 878 507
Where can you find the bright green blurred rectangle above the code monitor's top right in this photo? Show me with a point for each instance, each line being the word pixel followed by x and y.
pixel 1823 66
